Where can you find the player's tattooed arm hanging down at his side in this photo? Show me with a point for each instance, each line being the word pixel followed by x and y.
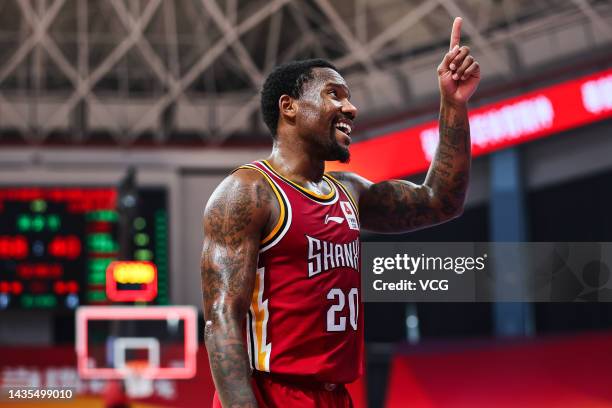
pixel 234 219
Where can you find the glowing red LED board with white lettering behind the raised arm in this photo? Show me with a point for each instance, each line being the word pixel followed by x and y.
pixel 534 115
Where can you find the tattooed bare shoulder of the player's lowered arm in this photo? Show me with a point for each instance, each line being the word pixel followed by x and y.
pixel 241 203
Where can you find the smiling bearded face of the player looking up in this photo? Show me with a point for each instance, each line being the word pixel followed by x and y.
pixel 325 114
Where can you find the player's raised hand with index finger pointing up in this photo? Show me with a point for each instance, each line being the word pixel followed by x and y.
pixel 459 72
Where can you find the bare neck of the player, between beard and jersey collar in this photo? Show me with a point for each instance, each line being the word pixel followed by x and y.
pixel 295 162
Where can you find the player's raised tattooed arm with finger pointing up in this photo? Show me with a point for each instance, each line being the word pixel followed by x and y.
pixel 399 206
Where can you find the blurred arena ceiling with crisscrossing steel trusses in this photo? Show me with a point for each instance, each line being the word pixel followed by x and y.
pixel 174 72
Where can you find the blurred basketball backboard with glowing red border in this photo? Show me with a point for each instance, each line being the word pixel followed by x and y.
pixel 159 341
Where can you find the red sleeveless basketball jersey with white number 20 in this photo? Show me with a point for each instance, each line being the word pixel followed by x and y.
pixel 305 316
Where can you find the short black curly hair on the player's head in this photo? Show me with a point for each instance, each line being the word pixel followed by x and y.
pixel 287 79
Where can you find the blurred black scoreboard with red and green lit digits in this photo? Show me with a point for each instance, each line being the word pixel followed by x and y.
pixel 57 242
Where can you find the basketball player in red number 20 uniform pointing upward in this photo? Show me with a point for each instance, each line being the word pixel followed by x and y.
pixel 280 261
